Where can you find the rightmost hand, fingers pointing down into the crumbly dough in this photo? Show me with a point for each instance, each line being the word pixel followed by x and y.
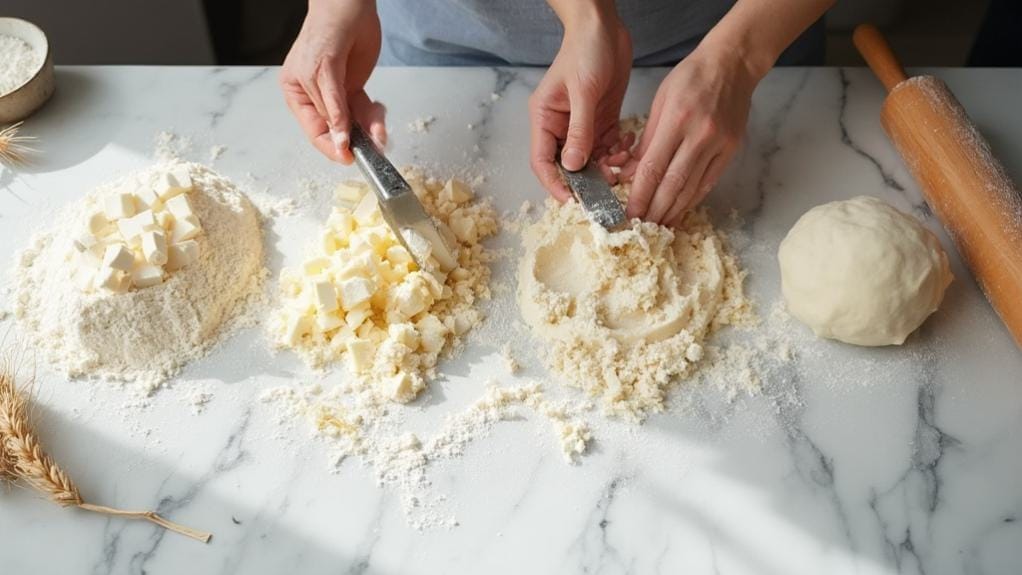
pixel 695 126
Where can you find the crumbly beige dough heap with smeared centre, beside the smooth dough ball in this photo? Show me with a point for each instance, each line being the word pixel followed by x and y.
pixel 626 314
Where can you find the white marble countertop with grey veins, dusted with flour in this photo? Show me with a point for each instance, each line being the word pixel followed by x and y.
pixel 853 461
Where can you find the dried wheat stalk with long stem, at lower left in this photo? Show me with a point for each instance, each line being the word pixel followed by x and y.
pixel 23 458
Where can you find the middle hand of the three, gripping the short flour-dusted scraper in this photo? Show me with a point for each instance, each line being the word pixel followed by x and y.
pixel 579 102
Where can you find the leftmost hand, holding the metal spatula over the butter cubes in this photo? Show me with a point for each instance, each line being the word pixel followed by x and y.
pixel 324 75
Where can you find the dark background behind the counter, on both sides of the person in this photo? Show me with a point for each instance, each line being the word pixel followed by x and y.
pixel 946 33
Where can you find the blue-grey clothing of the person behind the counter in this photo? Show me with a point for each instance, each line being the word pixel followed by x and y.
pixel 528 32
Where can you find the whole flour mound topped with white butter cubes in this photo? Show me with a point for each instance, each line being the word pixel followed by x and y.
pixel 143 276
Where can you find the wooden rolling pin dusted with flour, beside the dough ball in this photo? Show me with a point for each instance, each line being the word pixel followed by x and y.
pixel 963 183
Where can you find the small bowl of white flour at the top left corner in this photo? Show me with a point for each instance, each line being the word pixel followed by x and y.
pixel 26 70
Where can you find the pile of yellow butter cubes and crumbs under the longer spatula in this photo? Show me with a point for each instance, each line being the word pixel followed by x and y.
pixel 362 298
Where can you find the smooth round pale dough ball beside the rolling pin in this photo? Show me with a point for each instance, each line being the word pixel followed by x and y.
pixel 861 272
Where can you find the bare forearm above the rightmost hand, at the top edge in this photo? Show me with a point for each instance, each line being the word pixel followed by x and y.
pixel 759 31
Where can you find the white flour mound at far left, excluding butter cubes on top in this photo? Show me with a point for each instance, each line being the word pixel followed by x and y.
pixel 143 336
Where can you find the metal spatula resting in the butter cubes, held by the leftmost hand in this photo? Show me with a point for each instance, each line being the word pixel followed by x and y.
pixel 420 233
